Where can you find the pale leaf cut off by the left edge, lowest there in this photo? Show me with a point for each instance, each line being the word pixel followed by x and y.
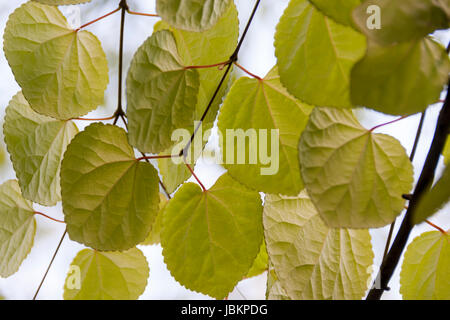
pixel 17 228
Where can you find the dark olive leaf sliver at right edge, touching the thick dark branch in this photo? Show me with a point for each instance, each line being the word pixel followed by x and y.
pixel 435 199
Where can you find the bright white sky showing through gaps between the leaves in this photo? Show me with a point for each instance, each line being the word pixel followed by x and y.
pixel 257 55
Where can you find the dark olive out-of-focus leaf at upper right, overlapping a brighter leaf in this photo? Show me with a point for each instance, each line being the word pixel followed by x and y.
pixel 401 79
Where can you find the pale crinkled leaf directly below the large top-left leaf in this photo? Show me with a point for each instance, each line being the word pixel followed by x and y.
pixel 36 144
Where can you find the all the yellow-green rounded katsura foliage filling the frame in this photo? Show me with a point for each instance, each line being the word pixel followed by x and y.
pixel 305 181
